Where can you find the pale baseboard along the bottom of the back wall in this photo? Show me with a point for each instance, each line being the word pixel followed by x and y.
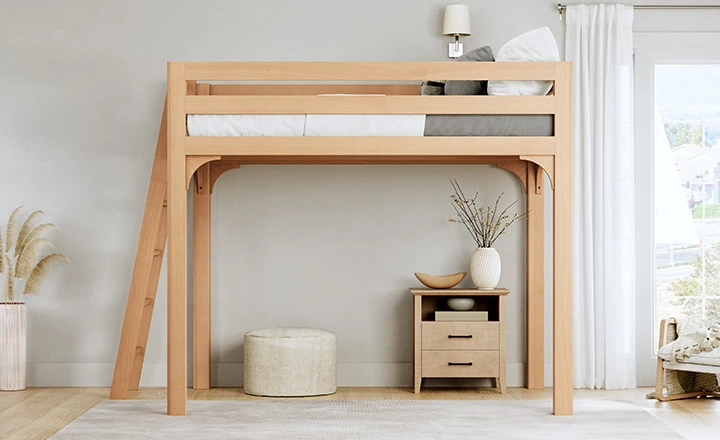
pixel 231 375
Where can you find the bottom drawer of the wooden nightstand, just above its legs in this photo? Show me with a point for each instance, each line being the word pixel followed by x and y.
pixel 460 363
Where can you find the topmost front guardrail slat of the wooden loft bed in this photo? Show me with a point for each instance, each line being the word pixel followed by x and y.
pixel 366 71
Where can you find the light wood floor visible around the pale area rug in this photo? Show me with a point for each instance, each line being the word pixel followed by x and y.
pixel 37 413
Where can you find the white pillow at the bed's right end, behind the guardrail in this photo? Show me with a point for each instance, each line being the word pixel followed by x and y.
pixel 537 45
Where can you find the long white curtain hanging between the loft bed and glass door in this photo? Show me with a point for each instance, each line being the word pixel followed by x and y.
pixel 599 43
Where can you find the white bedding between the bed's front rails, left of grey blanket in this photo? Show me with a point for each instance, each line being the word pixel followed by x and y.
pixel 306 125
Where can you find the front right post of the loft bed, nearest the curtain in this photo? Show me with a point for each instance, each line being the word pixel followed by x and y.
pixel 562 244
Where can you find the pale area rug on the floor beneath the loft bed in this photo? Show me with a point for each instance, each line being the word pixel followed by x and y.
pixel 369 419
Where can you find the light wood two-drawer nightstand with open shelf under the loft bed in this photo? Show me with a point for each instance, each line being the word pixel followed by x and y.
pixel 467 349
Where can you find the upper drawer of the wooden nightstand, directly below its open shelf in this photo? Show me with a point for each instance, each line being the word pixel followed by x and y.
pixel 460 335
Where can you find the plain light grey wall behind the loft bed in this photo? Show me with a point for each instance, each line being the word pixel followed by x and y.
pixel 82 85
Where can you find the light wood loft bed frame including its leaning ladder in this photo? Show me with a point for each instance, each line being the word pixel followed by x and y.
pixel 179 157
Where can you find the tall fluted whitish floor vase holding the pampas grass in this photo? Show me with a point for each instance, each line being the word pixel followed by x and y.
pixel 12 346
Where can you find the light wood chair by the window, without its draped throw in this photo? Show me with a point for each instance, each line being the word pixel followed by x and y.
pixel 682 379
